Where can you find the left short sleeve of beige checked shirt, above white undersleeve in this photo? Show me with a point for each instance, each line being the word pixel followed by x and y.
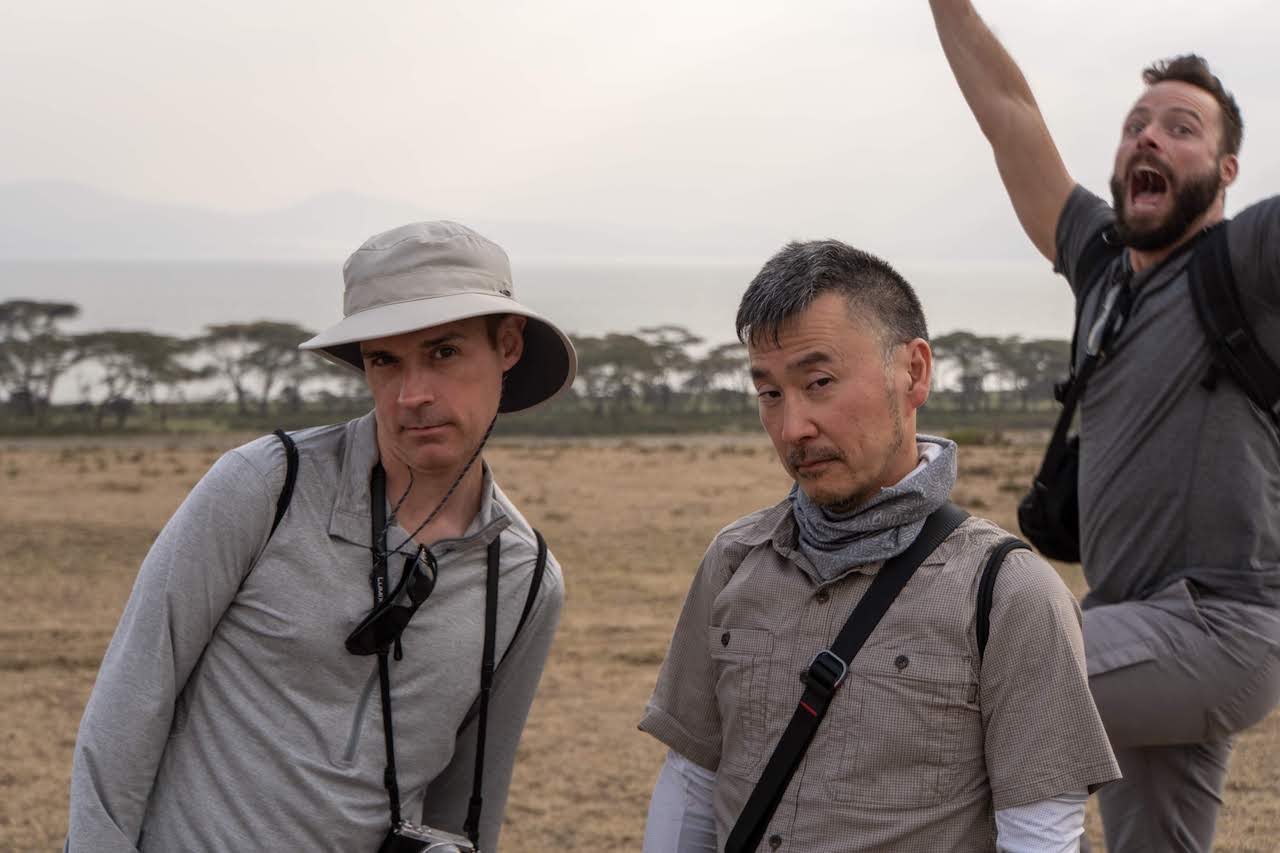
pixel 683 711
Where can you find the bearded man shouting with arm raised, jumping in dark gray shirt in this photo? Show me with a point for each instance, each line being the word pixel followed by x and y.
pixel 1180 481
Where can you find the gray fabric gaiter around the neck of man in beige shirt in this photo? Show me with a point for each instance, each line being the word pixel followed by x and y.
pixel 884 527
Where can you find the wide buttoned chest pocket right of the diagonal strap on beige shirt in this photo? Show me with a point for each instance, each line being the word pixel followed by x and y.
pixel 908 729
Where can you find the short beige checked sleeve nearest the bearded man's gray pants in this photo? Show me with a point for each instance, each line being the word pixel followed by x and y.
pixel 1044 735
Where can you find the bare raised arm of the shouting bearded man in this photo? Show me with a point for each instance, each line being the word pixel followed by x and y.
pixel 1028 162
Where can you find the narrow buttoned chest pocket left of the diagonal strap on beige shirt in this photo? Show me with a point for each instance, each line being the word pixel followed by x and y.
pixel 743 659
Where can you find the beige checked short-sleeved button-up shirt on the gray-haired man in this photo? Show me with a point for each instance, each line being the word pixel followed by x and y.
pixel 921 743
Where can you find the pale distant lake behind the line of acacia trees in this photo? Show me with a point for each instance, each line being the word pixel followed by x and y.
pixel 182 298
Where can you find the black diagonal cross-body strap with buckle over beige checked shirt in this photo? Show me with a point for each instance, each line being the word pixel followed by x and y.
pixel 828 673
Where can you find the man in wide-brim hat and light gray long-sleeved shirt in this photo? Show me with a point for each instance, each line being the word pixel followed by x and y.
pixel 336 623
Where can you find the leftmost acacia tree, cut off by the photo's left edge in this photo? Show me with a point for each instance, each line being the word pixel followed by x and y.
pixel 35 352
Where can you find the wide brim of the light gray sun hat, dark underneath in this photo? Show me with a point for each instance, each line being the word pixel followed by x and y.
pixel 546 368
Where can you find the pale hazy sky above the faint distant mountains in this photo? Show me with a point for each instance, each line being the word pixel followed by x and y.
pixel 792 120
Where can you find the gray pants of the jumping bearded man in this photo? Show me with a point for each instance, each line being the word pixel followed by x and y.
pixel 1174 677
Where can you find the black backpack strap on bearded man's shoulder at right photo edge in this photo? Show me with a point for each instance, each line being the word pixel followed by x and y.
pixel 1237 350
